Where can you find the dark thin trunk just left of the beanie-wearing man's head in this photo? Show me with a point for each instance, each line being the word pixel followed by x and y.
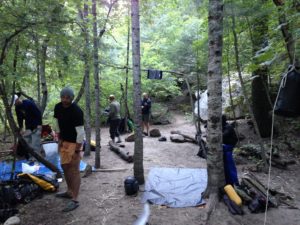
pixel 43 75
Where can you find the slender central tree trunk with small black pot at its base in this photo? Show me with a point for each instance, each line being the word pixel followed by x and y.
pixel 138 167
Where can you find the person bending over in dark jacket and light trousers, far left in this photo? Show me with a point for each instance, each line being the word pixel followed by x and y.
pixel 27 110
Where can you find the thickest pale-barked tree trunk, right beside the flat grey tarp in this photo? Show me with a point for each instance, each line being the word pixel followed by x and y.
pixel 215 169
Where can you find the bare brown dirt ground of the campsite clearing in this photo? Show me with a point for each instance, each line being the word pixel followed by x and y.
pixel 103 200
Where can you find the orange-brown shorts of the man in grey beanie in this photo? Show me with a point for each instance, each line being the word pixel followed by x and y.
pixel 67 153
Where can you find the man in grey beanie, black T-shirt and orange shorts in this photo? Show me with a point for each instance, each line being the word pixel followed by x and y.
pixel 70 129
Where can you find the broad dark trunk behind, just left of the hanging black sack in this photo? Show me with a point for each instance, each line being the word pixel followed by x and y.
pixel 260 94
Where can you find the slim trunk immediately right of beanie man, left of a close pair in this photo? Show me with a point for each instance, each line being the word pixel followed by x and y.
pixel 87 113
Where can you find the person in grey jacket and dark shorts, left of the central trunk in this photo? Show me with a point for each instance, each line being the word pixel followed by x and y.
pixel 114 118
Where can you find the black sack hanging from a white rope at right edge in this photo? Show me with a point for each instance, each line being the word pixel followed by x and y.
pixel 288 104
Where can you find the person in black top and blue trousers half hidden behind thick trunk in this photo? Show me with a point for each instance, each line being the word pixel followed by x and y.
pixel 229 141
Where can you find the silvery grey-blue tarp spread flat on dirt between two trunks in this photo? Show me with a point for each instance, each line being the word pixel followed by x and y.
pixel 175 187
